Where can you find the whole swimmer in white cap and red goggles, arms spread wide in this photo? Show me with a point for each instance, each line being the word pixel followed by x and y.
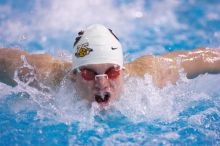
pixel 97 66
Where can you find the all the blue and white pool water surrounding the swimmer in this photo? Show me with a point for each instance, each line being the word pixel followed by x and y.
pixel 184 114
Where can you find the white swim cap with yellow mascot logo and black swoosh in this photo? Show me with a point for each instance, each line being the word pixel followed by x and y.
pixel 97 45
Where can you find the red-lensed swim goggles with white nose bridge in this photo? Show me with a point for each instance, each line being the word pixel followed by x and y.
pixel 89 74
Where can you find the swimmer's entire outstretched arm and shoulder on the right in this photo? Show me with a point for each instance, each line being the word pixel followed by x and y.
pixel 165 69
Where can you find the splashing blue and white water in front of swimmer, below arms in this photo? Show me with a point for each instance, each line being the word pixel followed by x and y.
pixel 182 113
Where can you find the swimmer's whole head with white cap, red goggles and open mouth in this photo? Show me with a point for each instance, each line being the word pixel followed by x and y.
pixel 97 65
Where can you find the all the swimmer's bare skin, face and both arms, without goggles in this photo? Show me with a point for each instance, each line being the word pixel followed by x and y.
pixel 164 69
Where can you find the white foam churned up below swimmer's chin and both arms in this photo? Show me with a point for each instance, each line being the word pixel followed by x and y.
pixel 141 101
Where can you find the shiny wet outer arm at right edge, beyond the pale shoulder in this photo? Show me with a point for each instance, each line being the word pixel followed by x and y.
pixel 198 61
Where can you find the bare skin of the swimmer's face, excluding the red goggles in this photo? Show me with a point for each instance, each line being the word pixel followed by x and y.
pixel 103 90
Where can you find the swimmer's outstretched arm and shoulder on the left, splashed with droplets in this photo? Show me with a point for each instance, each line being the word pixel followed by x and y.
pixel 49 70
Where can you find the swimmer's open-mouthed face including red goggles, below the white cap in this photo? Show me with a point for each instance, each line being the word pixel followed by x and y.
pixel 105 87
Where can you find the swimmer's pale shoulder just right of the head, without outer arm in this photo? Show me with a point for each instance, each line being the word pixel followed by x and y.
pixel 162 69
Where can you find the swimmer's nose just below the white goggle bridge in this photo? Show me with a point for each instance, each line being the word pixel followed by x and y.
pixel 101 82
